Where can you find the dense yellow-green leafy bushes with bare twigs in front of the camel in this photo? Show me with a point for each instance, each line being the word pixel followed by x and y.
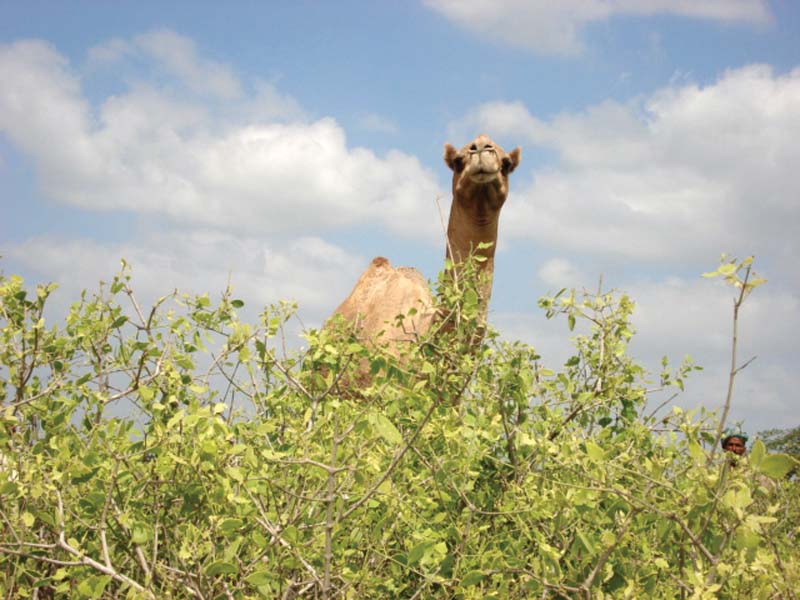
pixel 178 452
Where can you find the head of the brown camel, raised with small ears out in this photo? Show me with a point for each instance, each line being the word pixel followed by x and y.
pixel 480 172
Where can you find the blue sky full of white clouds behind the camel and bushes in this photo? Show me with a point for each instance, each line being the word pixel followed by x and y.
pixel 280 146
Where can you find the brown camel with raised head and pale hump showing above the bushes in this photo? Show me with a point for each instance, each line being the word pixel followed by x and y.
pixel 480 187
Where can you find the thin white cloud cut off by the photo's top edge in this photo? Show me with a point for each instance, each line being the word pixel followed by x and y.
pixel 556 27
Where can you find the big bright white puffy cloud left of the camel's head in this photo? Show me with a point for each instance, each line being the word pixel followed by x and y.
pixel 149 150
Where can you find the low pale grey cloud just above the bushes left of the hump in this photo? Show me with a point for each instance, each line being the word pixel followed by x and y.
pixel 309 270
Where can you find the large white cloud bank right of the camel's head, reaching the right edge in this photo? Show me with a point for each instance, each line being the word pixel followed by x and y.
pixel 682 175
